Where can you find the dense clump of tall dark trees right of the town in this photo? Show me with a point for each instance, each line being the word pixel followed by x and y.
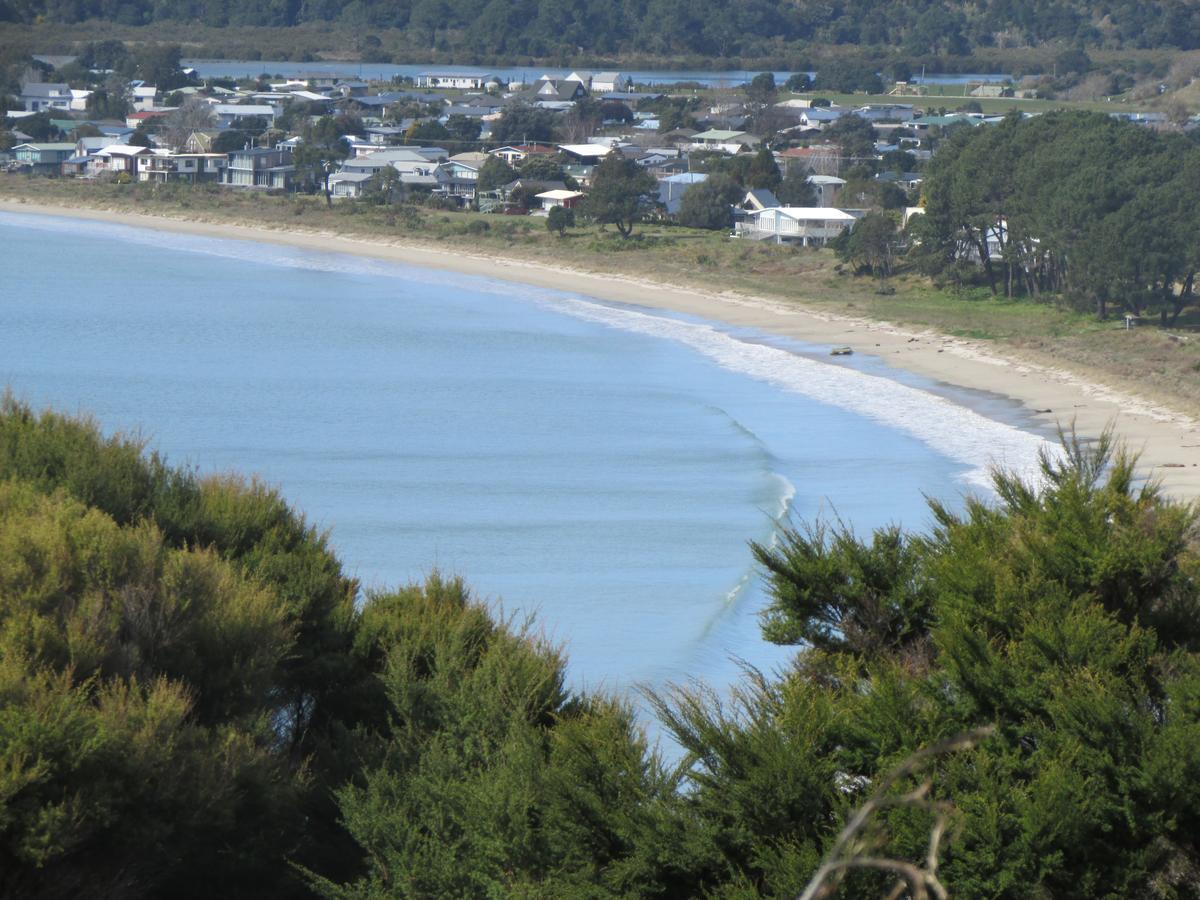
pixel 1083 206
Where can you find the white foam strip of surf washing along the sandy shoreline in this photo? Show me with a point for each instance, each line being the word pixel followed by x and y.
pixel 950 429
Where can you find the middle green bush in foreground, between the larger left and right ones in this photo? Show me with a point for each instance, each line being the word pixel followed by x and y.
pixel 493 781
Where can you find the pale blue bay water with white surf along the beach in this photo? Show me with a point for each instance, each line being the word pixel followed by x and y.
pixel 601 466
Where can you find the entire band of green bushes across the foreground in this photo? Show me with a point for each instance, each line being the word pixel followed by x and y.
pixel 196 700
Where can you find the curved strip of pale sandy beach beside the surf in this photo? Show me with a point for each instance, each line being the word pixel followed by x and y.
pixel 1168 441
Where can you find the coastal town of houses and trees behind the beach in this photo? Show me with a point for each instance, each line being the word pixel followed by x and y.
pixel 805 170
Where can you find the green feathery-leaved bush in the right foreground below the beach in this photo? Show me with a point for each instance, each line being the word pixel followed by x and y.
pixel 1066 617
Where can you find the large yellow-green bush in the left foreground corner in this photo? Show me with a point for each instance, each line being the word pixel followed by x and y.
pixel 172 651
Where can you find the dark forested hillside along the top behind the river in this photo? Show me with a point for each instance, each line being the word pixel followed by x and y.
pixel 711 28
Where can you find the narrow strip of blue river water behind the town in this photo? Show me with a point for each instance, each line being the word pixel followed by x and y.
pixel 387 73
